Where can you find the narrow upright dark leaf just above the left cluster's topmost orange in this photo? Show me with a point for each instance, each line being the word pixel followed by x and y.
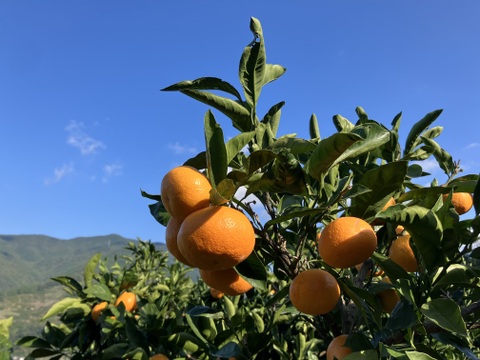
pixel 217 163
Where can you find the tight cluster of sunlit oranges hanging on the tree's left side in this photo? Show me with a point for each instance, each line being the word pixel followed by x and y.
pixel 212 238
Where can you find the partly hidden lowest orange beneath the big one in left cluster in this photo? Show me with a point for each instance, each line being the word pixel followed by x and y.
pixel 226 281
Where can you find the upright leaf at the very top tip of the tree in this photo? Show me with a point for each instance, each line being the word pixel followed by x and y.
pixel 252 67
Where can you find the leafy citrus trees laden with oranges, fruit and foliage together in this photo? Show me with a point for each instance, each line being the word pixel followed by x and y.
pixel 305 248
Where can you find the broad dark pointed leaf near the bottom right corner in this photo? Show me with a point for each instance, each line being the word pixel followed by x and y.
pixel 446 314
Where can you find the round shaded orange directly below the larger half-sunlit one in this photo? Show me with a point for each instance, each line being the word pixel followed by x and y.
pixel 314 292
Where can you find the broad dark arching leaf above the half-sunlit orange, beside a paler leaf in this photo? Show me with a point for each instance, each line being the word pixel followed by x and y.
pixel 329 152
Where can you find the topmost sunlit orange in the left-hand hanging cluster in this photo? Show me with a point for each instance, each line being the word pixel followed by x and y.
pixel 184 190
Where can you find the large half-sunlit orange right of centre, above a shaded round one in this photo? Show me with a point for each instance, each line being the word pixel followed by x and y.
pixel 346 242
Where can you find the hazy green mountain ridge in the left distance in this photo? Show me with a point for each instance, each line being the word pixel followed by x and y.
pixel 28 262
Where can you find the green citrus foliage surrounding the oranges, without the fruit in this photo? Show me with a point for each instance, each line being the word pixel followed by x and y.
pixel 298 187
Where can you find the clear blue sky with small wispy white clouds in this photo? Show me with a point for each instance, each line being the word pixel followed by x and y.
pixel 84 127
